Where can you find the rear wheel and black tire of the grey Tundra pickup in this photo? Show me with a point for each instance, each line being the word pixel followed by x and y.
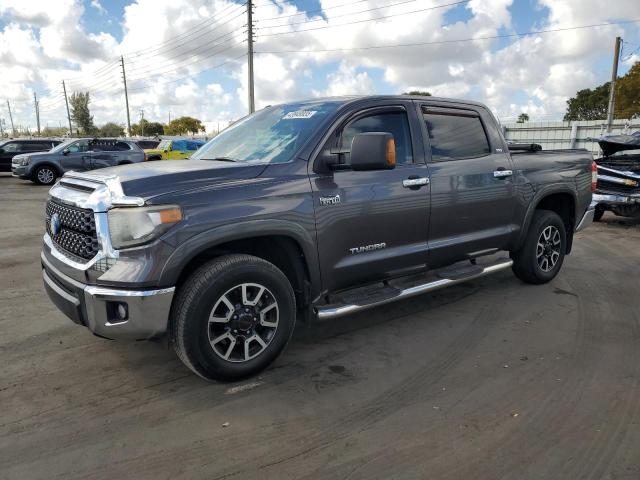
pixel 528 262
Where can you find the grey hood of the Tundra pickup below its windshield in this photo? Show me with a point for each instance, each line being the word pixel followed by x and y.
pixel 150 179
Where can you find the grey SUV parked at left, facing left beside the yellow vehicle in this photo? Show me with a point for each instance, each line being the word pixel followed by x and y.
pixel 78 154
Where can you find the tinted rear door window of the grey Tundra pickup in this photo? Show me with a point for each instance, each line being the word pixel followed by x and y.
pixel 455 135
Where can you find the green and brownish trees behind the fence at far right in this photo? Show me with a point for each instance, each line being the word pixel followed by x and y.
pixel 592 104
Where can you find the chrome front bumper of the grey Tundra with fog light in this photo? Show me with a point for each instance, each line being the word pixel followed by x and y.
pixel 97 308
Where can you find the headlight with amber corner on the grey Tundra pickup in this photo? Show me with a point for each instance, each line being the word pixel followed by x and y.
pixel 129 227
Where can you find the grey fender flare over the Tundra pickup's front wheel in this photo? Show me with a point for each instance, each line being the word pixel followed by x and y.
pixel 208 239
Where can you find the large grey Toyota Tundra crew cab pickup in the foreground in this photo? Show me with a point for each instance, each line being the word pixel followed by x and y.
pixel 312 211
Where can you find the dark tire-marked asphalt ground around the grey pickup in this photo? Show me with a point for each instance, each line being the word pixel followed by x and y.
pixel 492 379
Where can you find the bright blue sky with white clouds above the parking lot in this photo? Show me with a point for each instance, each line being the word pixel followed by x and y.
pixel 188 57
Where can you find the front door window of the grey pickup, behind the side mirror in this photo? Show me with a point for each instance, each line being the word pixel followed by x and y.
pixel 395 123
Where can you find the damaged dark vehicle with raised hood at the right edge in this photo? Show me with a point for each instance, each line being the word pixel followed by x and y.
pixel 618 188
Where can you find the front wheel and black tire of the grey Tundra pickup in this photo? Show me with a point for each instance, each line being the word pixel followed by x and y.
pixel 194 336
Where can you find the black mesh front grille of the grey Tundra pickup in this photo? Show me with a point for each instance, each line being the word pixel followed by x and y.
pixel 76 233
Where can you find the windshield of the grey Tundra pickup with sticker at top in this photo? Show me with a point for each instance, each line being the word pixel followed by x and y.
pixel 272 135
